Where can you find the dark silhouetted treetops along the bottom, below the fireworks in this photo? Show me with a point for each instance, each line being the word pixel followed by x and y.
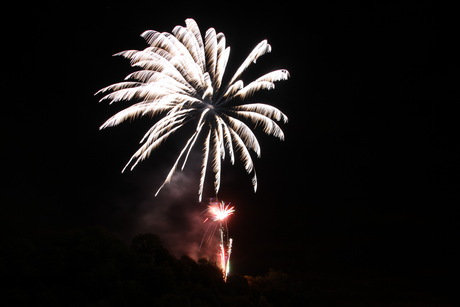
pixel 89 267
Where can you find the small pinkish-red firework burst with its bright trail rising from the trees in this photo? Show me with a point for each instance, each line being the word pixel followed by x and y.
pixel 219 212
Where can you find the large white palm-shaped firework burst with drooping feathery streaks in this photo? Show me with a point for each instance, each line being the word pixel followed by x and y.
pixel 181 78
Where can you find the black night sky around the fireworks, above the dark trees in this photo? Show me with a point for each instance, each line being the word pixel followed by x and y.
pixel 365 184
